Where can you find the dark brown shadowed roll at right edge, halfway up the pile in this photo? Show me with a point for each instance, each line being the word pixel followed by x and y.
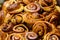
pixel 53 17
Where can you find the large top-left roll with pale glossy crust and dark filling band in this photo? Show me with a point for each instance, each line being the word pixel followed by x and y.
pixel 13 7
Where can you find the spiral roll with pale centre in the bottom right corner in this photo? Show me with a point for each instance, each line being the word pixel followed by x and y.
pixel 54 35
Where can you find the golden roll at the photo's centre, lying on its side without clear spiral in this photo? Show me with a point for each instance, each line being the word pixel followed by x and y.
pixel 31 18
